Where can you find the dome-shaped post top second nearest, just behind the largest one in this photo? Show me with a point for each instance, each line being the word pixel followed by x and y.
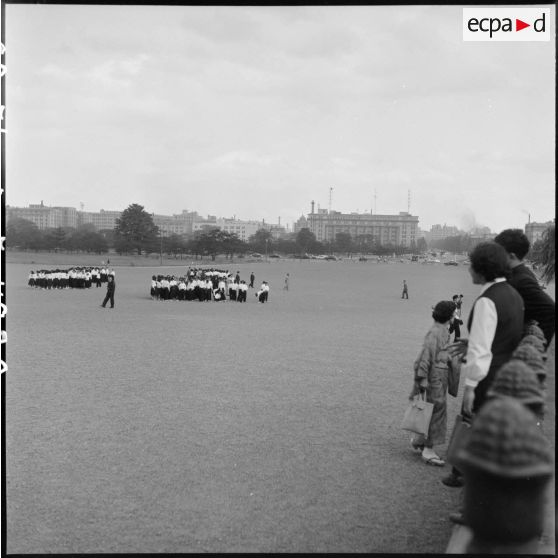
pixel 516 379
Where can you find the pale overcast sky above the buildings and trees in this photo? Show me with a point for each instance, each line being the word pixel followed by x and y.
pixel 254 112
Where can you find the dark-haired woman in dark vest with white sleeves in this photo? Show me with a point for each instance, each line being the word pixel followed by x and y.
pixel 495 328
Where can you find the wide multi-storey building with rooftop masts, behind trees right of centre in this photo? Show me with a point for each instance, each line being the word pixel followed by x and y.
pixel 397 230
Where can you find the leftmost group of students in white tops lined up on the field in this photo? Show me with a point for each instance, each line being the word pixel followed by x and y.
pixel 72 278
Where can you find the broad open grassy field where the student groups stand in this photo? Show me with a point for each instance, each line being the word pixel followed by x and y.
pixel 224 427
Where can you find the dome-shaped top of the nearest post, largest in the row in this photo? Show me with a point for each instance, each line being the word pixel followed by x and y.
pixel 506 441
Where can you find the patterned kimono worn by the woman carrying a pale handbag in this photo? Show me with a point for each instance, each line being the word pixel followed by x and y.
pixel 431 370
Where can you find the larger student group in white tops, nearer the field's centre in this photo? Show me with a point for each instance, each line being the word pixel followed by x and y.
pixel 204 285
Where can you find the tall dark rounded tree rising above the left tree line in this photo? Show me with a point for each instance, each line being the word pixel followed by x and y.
pixel 135 230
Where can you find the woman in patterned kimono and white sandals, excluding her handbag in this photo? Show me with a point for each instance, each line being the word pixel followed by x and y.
pixel 432 367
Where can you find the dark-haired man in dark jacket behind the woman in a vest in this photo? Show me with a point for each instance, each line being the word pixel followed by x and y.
pixel 538 305
